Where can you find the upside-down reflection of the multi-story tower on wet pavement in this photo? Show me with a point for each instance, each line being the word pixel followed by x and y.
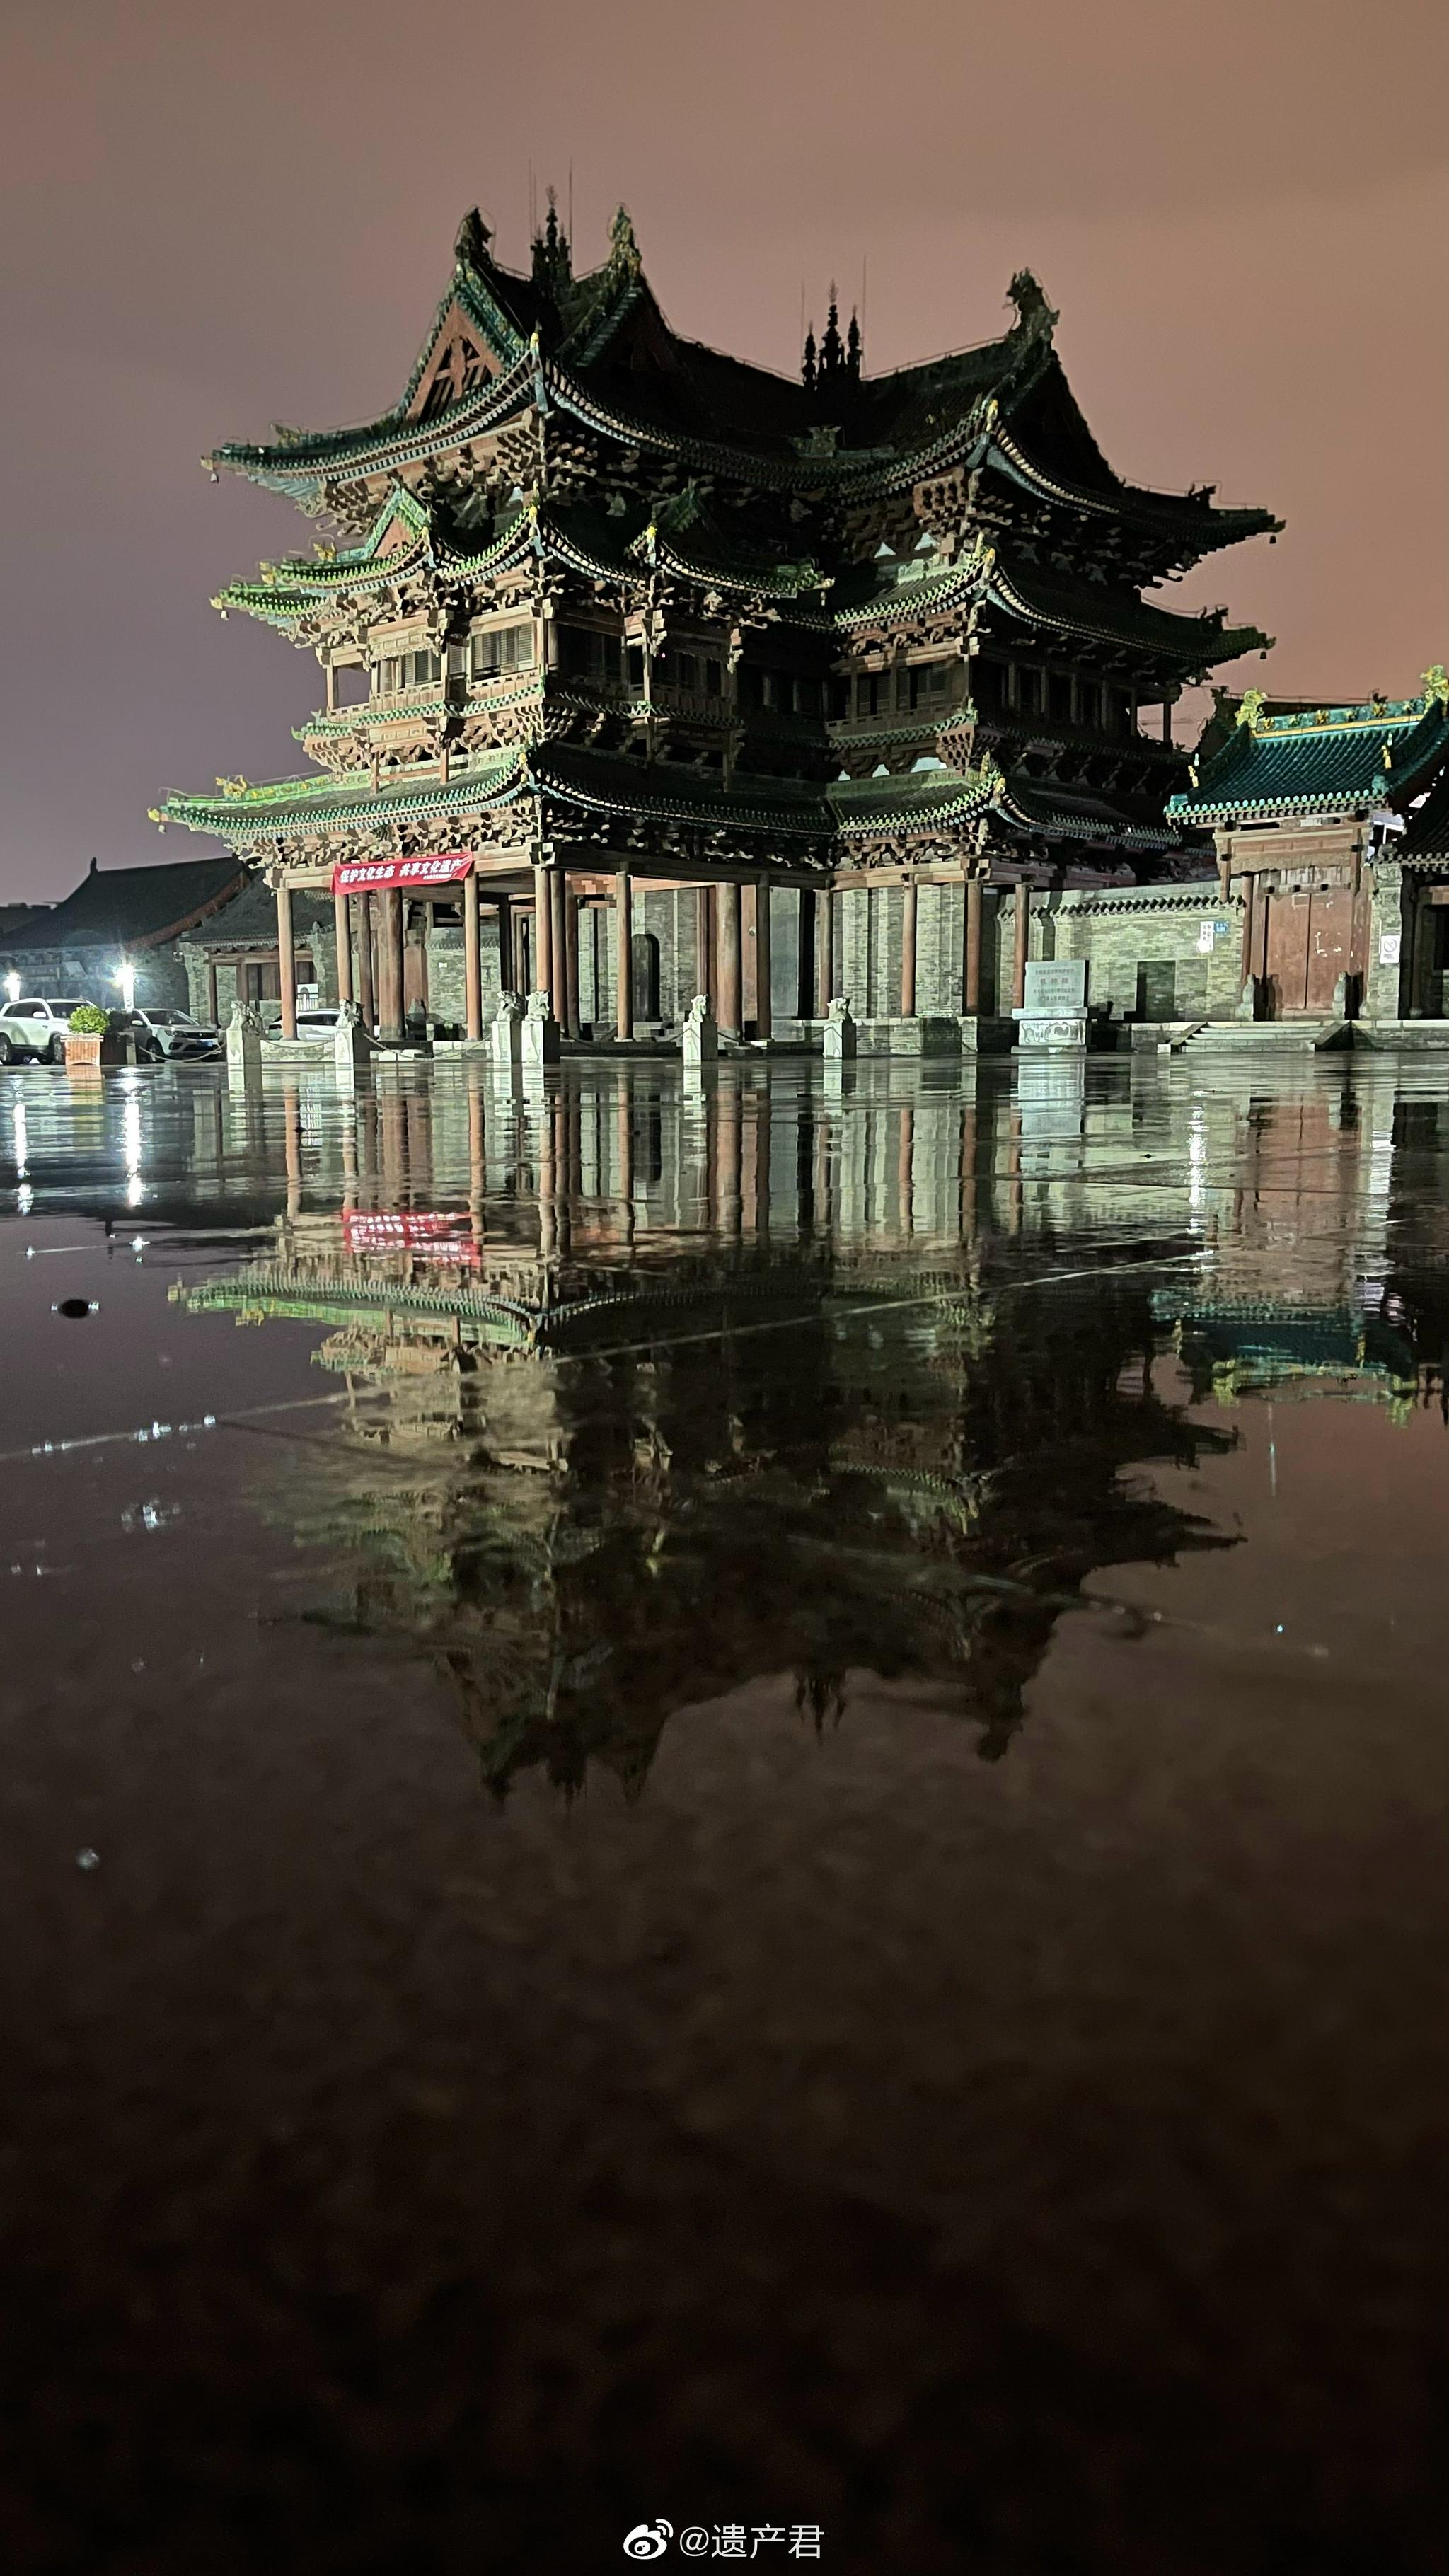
pixel 656 1395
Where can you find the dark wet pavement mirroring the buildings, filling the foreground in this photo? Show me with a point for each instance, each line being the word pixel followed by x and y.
pixel 728 1804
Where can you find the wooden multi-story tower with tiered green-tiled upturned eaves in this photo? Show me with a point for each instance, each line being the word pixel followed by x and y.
pixel 610 617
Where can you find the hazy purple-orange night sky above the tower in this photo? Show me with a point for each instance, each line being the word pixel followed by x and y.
pixel 228 218
